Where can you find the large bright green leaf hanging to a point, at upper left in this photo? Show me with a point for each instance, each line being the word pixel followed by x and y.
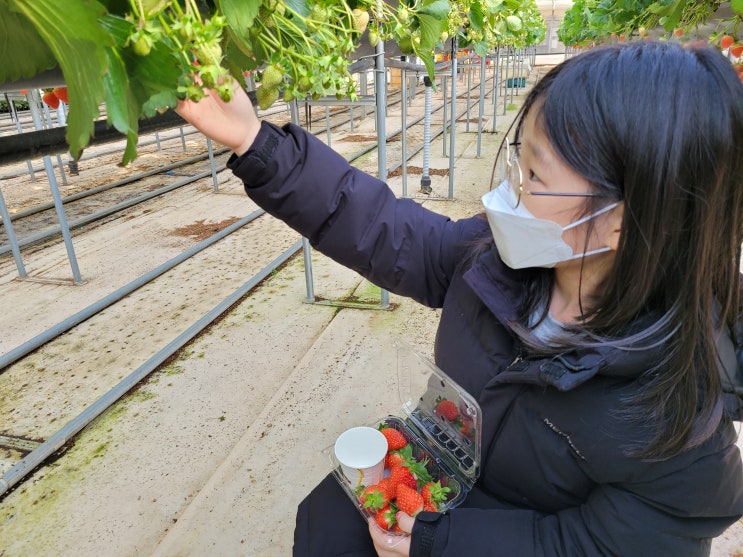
pixel 72 33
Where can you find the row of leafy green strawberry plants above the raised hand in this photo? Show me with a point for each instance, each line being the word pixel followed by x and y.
pixel 141 56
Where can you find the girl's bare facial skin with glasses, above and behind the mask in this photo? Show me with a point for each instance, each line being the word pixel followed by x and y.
pixel 543 171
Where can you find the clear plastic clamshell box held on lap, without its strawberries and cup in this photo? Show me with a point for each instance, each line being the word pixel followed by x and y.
pixel 450 448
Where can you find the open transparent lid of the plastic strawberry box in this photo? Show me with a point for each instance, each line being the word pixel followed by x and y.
pixel 446 415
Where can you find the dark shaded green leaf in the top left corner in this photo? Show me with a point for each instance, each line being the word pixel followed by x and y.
pixel 23 52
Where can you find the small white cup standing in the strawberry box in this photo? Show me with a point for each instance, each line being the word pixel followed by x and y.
pixel 360 452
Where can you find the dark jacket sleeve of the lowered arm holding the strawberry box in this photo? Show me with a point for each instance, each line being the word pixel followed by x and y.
pixel 667 515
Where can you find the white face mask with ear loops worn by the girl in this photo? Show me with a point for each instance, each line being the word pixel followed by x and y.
pixel 522 239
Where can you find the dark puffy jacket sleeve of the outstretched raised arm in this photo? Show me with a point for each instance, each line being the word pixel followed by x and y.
pixel 351 216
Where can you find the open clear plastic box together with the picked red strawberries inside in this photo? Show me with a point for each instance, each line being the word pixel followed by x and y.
pixel 433 452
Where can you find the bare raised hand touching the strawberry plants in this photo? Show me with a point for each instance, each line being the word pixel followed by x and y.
pixel 233 124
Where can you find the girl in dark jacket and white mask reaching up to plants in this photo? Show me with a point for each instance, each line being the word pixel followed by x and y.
pixel 589 314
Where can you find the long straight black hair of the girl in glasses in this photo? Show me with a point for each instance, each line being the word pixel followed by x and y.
pixel 660 127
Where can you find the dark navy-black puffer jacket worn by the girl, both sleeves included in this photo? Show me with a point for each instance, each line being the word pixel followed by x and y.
pixel 553 446
